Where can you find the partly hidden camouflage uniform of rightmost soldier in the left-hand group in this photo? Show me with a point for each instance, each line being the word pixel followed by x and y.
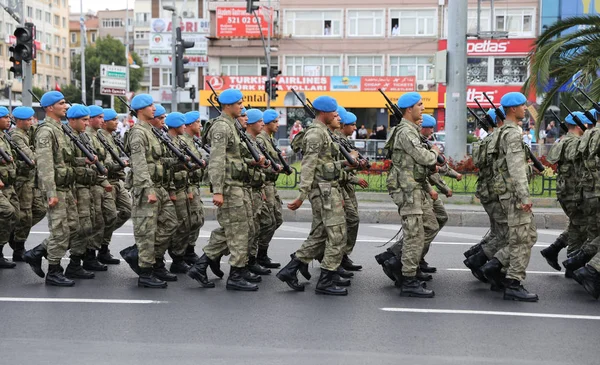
pixel 120 195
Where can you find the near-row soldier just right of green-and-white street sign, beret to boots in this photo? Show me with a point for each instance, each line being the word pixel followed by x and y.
pixel 153 213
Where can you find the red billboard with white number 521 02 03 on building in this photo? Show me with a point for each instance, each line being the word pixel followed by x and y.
pixel 234 22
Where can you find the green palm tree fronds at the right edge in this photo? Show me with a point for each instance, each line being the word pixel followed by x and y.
pixel 559 58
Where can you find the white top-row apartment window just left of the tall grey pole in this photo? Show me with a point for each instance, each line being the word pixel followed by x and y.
pixel 413 22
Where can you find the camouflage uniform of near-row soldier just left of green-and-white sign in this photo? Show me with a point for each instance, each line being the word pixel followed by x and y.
pixel 54 157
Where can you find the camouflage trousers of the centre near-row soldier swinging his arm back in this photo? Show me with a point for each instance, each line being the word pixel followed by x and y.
pixel 327 235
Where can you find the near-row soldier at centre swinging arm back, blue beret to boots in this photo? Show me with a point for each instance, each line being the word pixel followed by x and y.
pixel 319 182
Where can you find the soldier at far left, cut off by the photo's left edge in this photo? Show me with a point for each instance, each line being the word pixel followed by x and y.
pixel 9 201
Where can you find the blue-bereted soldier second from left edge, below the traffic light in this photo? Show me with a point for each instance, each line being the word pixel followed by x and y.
pixel 31 201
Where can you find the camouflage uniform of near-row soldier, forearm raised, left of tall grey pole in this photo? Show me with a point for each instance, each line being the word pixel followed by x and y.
pixel 407 184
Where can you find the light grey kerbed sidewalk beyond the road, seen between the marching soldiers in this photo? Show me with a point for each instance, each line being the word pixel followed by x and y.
pixel 379 208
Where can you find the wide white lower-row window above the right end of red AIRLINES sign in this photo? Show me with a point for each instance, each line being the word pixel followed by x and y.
pixel 313 65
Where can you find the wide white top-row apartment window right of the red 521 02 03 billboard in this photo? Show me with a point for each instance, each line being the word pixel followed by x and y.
pixel 313 23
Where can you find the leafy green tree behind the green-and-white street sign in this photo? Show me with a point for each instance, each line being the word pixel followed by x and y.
pixel 106 51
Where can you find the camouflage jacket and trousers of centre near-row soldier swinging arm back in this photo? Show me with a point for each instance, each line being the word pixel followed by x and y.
pixel 319 182
